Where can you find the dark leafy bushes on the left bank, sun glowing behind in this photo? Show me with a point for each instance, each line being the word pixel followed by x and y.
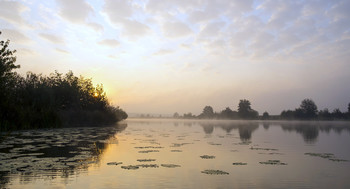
pixel 38 101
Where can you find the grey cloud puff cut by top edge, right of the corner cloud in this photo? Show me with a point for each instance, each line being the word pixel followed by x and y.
pixel 76 11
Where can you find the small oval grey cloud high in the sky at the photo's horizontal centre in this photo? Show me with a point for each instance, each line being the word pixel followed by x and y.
pixel 176 29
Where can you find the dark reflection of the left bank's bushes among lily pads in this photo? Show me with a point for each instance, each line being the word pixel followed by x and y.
pixel 54 152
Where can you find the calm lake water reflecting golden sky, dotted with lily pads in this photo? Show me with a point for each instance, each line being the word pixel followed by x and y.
pixel 266 155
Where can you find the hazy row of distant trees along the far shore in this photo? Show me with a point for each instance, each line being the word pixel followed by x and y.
pixel 307 111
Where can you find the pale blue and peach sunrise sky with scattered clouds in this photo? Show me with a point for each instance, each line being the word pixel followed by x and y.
pixel 166 56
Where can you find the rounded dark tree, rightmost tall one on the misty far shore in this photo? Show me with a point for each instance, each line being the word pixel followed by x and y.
pixel 307 110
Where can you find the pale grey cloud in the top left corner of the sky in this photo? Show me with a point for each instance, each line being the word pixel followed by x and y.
pixel 11 11
